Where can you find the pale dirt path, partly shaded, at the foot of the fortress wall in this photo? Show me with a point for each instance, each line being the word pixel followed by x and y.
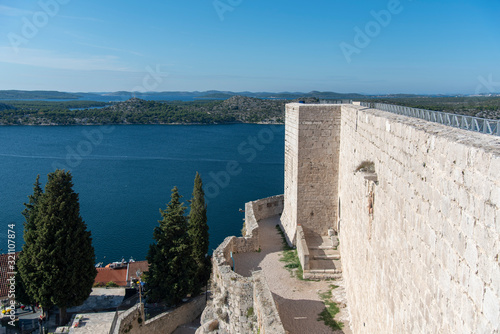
pixel 298 301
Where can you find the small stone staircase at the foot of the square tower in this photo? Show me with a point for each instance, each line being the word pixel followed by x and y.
pixel 324 258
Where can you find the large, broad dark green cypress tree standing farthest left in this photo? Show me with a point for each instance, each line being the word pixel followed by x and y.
pixel 58 264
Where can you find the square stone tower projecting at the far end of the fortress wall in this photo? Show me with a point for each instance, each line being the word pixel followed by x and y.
pixel 312 144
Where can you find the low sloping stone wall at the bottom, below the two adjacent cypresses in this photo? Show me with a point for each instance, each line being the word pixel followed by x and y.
pixel 132 322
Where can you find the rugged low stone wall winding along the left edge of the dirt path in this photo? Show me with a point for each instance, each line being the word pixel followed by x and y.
pixel 242 304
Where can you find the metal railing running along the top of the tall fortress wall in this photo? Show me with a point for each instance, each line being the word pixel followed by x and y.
pixel 471 123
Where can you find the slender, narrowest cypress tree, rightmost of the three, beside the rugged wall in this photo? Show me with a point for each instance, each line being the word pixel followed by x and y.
pixel 198 234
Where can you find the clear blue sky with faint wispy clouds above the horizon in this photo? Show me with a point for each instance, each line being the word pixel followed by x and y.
pixel 366 46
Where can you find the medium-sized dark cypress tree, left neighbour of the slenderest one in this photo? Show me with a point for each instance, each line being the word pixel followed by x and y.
pixel 169 257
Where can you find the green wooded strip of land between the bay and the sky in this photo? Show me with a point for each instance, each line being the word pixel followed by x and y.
pixel 208 110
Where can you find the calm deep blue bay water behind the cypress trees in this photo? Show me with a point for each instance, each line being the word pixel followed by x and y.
pixel 124 175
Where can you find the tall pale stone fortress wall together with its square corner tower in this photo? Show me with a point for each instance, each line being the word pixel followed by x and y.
pixel 419 237
